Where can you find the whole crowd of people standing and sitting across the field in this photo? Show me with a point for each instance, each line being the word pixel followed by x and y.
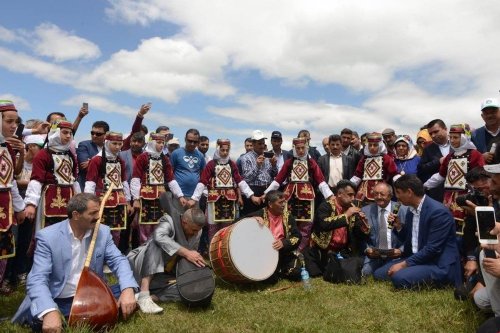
pixel 396 206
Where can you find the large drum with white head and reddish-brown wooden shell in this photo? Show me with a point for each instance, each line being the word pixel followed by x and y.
pixel 243 252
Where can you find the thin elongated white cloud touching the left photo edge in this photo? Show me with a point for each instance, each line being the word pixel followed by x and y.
pixel 22 63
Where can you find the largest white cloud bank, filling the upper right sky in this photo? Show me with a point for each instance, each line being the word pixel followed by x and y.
pixel 359 44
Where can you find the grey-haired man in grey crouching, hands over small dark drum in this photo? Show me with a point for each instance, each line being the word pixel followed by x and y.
pixel 154 262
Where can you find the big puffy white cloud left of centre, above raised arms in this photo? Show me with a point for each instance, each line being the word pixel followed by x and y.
pixel 161 68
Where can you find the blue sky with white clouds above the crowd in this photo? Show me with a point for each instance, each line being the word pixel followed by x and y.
pixel 228 67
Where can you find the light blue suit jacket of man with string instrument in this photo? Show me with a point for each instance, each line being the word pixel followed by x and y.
pixel 52 265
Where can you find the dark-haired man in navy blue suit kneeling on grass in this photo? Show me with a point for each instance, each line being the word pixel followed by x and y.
pixel 430 253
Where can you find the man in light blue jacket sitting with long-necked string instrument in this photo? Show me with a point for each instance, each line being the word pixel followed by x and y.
pixel 60 254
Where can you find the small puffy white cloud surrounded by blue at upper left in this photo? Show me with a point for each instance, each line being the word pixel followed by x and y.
pixel 51 41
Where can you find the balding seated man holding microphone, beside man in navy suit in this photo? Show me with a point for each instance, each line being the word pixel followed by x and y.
pixel 373 212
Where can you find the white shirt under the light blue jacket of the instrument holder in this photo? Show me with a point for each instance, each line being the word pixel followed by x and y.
pixel 79 250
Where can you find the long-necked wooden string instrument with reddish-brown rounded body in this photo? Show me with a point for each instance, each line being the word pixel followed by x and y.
pixel 94 304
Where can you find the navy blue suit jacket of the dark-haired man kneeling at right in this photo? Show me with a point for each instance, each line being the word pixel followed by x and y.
pixel 436 237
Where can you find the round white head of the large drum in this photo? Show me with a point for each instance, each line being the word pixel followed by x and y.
pixel 251 249
